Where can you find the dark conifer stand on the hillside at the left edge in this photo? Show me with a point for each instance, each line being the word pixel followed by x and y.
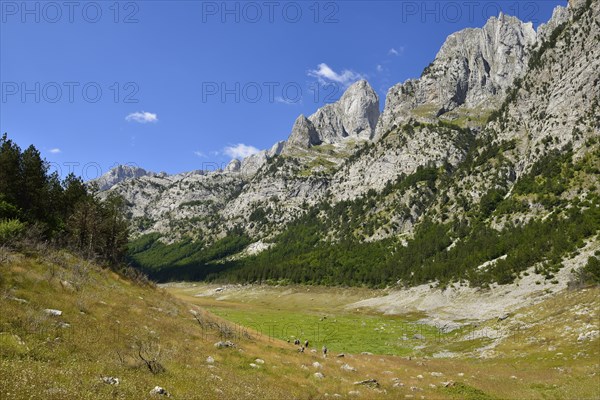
pixel 37 206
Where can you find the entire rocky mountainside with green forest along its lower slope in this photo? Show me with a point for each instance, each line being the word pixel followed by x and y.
pixel 442 184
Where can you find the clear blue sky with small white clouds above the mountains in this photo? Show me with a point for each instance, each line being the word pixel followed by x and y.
pixel 180 85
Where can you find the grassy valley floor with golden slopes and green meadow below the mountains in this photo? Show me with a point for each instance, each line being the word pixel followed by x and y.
pixel 546 350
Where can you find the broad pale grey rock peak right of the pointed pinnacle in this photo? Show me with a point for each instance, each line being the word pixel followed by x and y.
pixel 473 67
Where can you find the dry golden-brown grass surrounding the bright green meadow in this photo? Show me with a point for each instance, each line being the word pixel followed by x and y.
pixel 110 319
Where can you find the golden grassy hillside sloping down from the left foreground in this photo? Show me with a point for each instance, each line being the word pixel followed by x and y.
pixel 106 321
